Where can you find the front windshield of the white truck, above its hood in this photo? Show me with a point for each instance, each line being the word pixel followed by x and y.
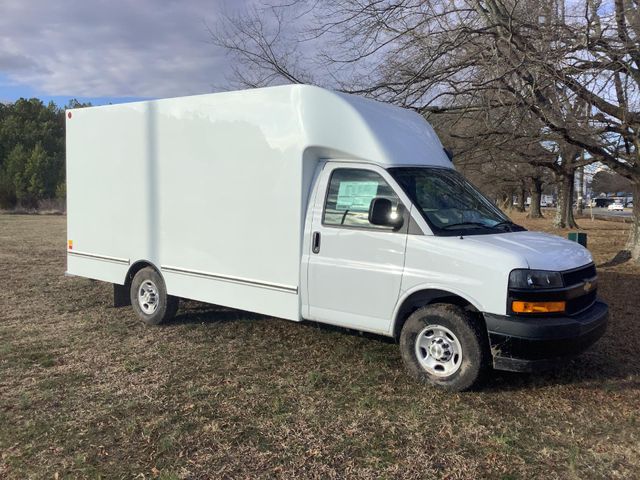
pixel 449 203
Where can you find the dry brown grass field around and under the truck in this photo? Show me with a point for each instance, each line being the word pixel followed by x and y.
pixel 86 391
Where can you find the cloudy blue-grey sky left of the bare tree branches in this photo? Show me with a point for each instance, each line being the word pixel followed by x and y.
pixel 109 51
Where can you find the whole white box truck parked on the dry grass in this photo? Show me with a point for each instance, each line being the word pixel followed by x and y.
pixel 306 204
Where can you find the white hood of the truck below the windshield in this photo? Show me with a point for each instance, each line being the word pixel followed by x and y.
pixel 542 251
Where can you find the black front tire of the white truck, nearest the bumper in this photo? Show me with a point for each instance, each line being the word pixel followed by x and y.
pixel 471 335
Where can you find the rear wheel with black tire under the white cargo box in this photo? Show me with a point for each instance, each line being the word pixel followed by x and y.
pixel 160 307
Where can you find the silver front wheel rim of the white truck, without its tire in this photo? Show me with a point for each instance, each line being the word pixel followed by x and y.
pixel 438 350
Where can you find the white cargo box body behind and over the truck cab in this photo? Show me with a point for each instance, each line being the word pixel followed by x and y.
pixel 213 190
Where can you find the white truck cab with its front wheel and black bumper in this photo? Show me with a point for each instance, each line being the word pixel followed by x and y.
pixel 418 253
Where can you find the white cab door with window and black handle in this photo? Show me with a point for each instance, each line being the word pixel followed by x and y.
pixel 355 268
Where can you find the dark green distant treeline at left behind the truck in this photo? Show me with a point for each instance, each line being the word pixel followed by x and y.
pixel 32 149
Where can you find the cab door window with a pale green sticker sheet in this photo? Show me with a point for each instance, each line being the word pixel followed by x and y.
pixel 349 197
